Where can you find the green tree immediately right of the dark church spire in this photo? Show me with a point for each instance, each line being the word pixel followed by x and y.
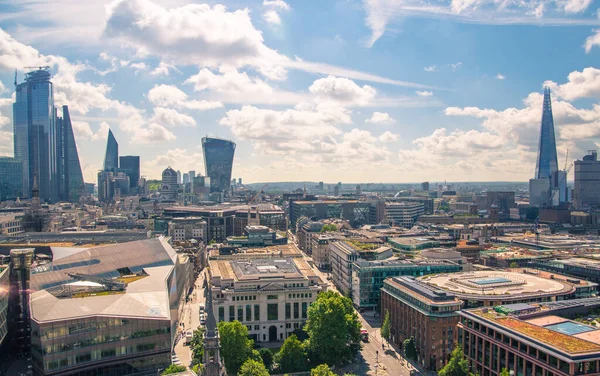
pixel 236 348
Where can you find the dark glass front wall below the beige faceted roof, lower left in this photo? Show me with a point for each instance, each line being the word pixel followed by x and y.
pixel 109 345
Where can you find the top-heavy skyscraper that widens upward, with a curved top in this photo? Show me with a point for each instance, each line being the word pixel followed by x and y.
pixel 218 161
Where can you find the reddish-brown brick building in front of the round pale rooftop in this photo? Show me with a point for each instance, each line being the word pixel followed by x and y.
pixel 424 312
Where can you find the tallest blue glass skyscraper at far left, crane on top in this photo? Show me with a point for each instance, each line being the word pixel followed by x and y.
pixel 35 133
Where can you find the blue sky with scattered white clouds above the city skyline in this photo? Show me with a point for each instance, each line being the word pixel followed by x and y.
pixel 337 90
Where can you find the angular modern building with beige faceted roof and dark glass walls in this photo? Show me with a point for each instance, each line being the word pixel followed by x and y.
pixel 108 310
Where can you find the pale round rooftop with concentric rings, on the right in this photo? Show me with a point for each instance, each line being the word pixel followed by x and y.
pixel 498 285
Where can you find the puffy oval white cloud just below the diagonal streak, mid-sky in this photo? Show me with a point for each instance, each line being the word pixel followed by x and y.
pixel 342 90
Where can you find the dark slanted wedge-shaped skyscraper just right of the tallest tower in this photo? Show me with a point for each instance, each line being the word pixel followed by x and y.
pixel 71 182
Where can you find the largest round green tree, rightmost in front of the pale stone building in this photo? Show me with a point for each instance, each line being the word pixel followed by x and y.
pixel 333 328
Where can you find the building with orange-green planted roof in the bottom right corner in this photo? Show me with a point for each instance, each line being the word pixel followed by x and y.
pixel 531 339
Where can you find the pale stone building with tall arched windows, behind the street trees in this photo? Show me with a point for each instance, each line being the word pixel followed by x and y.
pixel 270 296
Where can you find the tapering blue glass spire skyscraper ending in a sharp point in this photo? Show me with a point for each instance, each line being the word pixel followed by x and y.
pixel 546 160
